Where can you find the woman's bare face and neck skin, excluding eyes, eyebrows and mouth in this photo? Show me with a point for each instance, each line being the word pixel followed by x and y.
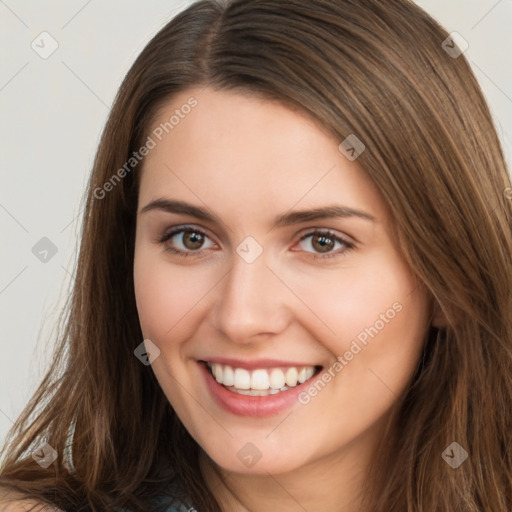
pixel 248 160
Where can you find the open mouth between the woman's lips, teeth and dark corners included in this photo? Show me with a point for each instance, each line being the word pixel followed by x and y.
pixel 262 381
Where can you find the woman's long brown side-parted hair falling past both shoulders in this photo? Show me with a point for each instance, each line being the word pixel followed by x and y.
pixel 375 69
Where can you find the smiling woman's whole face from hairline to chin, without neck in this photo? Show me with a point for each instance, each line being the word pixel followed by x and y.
pixel 250 281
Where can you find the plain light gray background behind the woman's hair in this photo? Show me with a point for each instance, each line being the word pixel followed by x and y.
pixel 53 111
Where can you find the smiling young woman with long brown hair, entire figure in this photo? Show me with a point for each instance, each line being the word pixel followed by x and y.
pixel 294 283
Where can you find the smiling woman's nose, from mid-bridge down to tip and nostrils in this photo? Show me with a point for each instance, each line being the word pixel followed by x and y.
pixel 252 302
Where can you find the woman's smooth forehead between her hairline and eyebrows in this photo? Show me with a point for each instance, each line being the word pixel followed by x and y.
pixel 251 153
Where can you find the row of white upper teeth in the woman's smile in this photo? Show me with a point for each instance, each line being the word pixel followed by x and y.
pixel 261 379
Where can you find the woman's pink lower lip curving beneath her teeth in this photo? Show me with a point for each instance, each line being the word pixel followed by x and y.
pixel 254 406
